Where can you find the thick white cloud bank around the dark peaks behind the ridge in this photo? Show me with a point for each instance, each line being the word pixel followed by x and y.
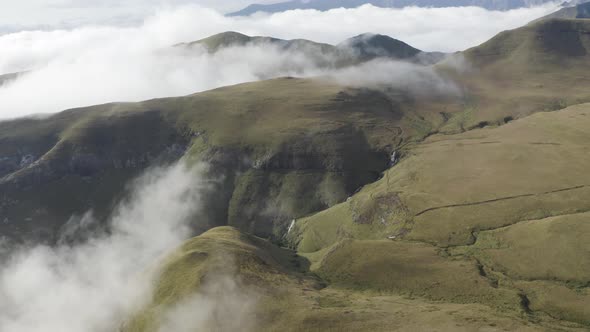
pixel 98 64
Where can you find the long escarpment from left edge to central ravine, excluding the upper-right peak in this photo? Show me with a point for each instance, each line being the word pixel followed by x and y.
pixel 262 176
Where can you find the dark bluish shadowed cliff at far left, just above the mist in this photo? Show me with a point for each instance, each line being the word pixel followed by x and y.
pixel 37 199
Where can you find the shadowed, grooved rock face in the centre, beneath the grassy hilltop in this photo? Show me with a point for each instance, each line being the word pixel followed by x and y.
pixel 262 192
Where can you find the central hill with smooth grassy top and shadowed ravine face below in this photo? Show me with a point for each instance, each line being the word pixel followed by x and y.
pixel 300 145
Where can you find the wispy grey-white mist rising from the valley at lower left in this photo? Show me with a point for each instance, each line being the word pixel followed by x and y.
pixel 95 285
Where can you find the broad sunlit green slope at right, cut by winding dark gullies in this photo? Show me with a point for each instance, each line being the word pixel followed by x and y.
pixel 511 199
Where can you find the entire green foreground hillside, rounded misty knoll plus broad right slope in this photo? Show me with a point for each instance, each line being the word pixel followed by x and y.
pixel 501 248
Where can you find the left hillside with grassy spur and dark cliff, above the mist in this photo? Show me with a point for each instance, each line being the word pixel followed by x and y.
pixel 46 181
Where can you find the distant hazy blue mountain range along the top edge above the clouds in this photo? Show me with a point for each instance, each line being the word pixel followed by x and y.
pixel 324 5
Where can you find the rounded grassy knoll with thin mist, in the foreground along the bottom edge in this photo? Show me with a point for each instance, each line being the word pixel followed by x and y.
pixel 225 280
